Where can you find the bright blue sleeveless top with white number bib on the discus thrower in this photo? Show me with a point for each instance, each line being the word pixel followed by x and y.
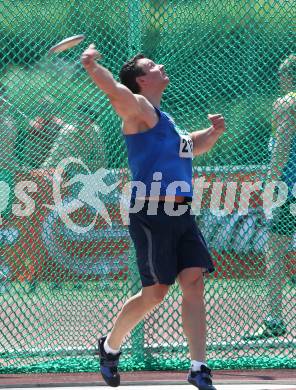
pixel 161 160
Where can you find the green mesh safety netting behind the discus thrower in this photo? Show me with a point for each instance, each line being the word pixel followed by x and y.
pixel 65 269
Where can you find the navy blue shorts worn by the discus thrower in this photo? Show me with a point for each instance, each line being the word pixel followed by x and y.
pixel 165 245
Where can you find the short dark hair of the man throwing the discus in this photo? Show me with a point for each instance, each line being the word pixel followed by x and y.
pixel 130 71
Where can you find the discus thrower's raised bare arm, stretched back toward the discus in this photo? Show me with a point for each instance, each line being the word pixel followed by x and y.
pixel 125 103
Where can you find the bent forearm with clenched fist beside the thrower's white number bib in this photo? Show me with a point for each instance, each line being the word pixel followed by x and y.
pixel 204 140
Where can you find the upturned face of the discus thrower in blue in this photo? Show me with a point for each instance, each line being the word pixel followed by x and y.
pixel 155 77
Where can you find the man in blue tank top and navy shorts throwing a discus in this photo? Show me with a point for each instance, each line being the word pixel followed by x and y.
pixel 167 246
